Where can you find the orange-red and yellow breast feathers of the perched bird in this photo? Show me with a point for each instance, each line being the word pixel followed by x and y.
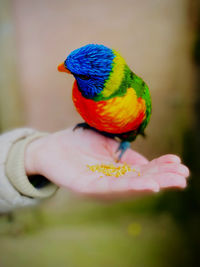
pixel 119 114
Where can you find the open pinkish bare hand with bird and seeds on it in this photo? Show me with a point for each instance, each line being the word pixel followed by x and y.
pixel 62 157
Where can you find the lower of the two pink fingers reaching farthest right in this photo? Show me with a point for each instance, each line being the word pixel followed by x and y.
pixel 167 180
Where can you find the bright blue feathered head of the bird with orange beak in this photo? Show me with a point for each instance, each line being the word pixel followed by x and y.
pixel 91 66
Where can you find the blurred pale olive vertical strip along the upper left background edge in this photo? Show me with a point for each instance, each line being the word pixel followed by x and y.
pixel 10 101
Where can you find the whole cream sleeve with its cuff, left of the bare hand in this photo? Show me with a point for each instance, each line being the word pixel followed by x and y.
pixel 15 187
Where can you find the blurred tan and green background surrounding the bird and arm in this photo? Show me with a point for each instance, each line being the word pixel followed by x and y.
pixel 160 41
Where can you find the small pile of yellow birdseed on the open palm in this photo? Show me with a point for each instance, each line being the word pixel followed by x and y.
pixel 111 170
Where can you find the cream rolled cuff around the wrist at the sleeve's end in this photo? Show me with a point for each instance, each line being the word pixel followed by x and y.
pixel 16 171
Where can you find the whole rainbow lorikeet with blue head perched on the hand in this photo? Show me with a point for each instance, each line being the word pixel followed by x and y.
pixel 110 98
